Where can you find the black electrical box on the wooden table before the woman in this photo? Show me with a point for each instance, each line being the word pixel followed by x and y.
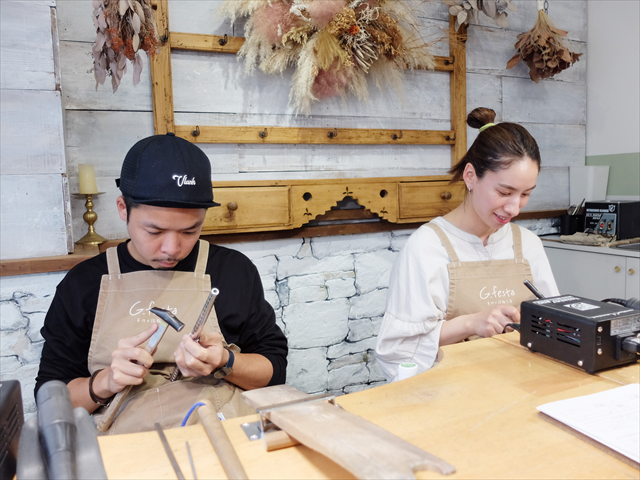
pixel 585 333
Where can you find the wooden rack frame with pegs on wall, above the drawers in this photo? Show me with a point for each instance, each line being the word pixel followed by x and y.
pixel 163 109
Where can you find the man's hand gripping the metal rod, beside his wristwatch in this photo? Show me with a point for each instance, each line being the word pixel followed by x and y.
pixel 196 359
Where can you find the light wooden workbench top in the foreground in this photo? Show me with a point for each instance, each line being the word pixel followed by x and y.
pixel 476 410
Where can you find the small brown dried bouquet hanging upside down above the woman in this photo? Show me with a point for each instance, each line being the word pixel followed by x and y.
pixel 543 50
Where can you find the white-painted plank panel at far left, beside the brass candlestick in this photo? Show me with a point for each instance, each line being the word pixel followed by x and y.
pixel 33 210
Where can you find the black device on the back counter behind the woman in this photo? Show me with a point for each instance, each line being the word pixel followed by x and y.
pixel 613 218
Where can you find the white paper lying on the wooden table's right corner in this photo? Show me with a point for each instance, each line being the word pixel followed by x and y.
pixel 611 418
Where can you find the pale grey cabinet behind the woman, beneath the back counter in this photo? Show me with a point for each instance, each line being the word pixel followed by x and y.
pixel 594 272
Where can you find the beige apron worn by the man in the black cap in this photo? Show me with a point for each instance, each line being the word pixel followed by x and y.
pixel 123 311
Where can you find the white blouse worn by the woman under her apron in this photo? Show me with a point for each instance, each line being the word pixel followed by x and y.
pixel 419 289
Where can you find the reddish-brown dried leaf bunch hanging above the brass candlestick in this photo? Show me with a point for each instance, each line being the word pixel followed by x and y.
pixel 123 27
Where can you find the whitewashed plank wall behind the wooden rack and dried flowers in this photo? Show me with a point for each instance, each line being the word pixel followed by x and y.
pixel 211 89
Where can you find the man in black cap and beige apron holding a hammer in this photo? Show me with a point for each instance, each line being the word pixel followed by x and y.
pixel 100 319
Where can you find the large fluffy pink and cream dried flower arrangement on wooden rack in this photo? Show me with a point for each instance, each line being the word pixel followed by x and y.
pixel 333 44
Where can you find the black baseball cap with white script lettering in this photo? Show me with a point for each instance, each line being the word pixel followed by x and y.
pixel 167 171
